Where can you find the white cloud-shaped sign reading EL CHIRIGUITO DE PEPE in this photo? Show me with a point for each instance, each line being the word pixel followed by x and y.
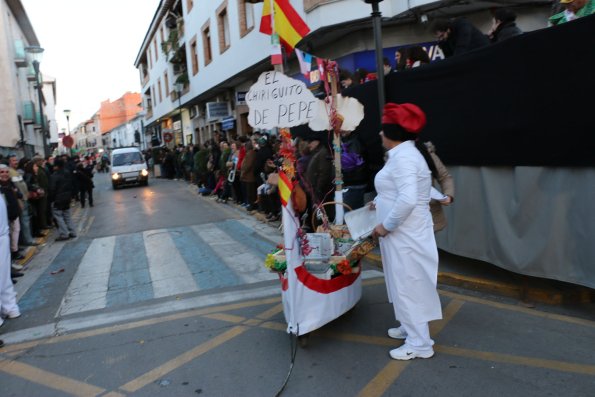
pixel 276 100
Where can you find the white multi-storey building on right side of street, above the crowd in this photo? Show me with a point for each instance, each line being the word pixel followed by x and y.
pixel 198 59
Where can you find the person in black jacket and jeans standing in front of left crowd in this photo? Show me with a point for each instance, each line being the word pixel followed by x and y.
pixel 61 194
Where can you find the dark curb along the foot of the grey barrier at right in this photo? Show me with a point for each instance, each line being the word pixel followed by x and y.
pixel 522 290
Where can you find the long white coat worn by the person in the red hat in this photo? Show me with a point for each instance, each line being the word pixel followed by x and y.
pixel 409 252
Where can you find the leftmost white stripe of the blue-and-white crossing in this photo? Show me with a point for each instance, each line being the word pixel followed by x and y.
pixel 88 288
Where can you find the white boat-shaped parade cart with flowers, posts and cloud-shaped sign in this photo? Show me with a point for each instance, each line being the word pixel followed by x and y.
pixel 320 273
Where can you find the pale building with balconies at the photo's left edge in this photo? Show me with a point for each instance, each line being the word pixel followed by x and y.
pixel 24 124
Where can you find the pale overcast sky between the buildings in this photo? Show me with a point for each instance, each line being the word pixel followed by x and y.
pixel 90 48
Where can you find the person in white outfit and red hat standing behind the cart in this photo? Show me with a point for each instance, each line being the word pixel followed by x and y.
pixel 405 230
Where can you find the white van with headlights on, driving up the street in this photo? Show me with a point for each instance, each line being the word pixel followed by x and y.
pixel 128 167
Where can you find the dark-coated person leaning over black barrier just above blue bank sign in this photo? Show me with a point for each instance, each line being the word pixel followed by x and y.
pixel 458 36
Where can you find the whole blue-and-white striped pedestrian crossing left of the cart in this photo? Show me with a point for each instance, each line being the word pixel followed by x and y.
pixel 119 270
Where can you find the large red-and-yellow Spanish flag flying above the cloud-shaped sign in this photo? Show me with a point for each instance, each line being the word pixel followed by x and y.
pixel 288 24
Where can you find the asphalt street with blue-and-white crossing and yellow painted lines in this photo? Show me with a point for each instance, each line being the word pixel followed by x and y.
pixel 165 293
